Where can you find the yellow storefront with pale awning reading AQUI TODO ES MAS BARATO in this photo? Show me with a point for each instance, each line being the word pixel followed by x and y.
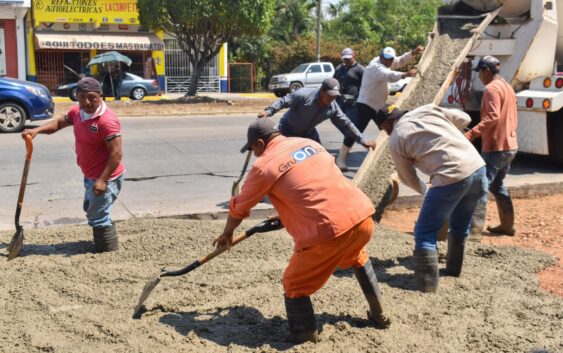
pixel 66 34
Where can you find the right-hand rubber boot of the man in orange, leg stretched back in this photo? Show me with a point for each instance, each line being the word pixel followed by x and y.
pixel 368 282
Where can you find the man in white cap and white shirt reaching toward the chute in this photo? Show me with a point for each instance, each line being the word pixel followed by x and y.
pixel 374 90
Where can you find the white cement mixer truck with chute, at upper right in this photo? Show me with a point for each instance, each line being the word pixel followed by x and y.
pixel 528 40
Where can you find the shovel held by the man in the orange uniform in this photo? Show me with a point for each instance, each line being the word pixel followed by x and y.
pixel 262 227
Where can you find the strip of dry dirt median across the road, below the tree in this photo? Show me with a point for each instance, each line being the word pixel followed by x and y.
pixel 180 106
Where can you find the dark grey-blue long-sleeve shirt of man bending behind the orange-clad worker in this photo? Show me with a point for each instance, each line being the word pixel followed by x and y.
pixel 304 114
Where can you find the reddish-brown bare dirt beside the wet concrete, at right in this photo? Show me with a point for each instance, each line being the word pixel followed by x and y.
pixel 539 225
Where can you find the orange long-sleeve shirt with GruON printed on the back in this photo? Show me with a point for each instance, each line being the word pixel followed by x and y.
pixel 314 200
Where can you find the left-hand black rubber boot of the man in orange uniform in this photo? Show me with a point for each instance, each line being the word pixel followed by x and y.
pixel 301 319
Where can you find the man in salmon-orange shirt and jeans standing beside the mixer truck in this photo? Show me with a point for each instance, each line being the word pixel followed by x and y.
pixel 497 130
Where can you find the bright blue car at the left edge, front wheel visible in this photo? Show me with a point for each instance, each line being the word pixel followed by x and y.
pixel 21 101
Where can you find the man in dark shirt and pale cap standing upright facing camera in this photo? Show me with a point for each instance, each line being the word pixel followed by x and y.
pixel 349 74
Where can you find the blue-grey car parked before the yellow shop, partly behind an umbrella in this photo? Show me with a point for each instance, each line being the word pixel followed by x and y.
pixel 133 86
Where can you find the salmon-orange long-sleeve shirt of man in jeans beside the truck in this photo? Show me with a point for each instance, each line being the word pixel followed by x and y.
pixel 499 118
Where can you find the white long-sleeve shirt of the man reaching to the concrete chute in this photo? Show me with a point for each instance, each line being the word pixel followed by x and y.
pixel 374 90
